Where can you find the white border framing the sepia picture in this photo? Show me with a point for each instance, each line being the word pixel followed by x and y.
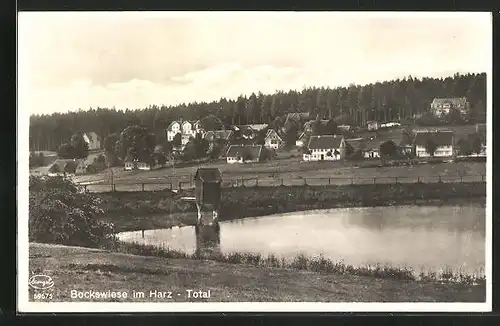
pixel 23 203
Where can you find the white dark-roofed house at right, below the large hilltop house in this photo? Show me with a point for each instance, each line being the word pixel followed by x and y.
pixel 442 139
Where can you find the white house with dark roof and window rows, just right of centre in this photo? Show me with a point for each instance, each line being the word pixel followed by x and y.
pixel 326 147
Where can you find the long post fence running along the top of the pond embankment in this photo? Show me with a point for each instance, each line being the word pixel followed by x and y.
pixel 274 182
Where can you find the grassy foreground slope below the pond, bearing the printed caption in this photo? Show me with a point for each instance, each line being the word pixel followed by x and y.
pixel 82 269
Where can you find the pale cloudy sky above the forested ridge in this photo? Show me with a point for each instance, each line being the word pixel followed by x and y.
pixel 131 60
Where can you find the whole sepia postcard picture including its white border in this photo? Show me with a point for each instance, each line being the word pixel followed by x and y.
pixel 254 161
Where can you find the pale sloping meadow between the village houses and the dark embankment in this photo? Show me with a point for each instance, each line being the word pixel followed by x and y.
pixel 288 171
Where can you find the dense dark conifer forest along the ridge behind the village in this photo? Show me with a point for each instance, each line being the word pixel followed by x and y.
pixel 399 99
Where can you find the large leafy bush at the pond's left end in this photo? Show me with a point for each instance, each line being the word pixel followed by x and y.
pixel 61 213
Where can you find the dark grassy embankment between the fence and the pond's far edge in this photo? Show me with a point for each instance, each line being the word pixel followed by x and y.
pixel 162 209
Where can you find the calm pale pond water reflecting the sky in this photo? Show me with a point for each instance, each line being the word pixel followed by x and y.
pixel 424 238
